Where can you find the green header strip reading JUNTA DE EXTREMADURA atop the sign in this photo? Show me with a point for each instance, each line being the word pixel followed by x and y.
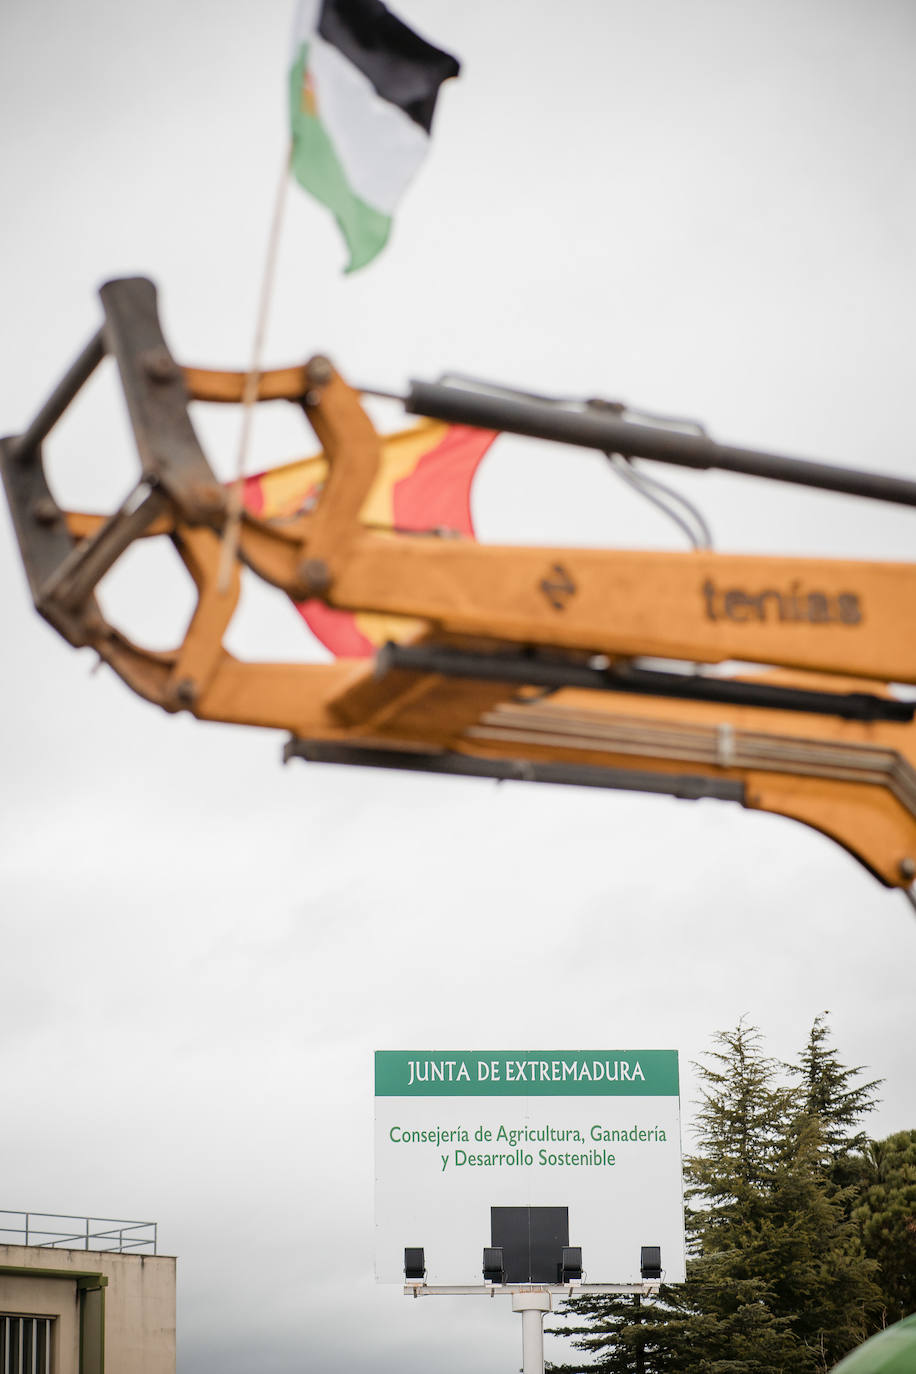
pixel 527 1074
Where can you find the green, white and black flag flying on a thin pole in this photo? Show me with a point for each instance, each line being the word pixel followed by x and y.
pixel 363 91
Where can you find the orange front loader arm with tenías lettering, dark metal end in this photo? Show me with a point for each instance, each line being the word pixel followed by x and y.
pixel 495 663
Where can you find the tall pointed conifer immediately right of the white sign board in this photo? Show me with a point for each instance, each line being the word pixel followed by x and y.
pixel 771 1213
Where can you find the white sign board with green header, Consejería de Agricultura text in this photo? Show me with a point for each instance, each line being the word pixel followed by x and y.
pixel 459 1134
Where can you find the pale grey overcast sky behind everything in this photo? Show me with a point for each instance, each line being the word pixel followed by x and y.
pixel 701 208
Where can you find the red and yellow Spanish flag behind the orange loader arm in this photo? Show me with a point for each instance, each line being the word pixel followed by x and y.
pixel 424 486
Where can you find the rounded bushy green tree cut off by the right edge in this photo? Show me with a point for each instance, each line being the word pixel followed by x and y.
pixel 886 1218
